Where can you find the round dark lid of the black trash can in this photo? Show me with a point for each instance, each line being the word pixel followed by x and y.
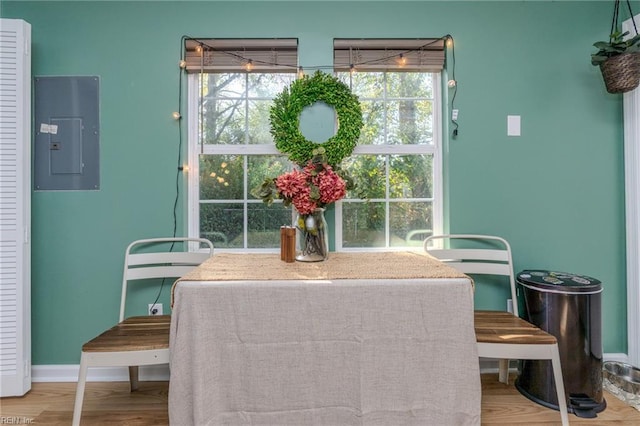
pixel 560 282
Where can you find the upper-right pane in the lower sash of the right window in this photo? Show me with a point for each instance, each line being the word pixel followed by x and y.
pixel 411 176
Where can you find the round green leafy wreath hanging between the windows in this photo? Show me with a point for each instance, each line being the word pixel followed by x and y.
pixel 288 105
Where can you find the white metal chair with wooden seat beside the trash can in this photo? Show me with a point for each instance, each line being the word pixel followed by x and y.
pixel 499 334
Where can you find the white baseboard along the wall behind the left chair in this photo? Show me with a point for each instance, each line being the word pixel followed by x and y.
pixel 69 373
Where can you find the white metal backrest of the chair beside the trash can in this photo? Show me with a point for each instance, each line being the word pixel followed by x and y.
pixel 475 254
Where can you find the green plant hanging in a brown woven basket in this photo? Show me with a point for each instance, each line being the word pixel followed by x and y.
pixel 619 58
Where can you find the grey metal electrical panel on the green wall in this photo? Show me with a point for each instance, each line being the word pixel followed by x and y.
pixel 67 133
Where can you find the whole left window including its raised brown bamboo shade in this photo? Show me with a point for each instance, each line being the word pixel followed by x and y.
pixel 230 147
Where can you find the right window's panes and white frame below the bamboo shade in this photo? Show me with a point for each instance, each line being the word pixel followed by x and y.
pixel 396 165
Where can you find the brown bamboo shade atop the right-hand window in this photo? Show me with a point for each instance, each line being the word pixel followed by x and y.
pixel 424 54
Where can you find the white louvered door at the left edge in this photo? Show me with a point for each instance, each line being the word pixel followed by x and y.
pixel 15 207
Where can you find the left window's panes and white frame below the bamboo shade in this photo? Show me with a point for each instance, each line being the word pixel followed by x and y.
pixel 235 155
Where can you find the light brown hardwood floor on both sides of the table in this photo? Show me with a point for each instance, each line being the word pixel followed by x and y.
pixel 112 403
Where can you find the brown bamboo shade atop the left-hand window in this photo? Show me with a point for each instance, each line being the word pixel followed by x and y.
pixel 231 55
